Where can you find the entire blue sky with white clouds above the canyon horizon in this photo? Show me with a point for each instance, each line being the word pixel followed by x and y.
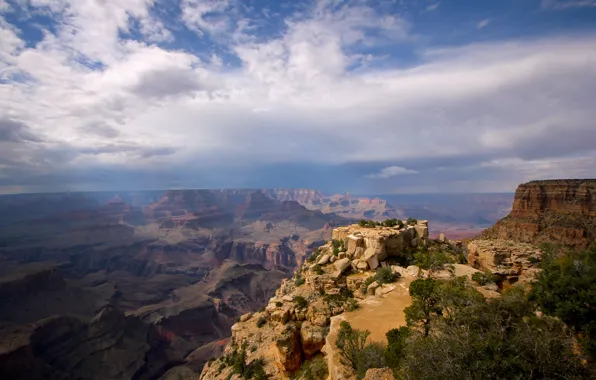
pixel 369 97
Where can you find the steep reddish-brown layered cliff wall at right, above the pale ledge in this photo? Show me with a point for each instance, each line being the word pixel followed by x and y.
pixel 554 211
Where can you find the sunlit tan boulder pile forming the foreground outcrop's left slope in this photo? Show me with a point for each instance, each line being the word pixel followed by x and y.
pixel 294 325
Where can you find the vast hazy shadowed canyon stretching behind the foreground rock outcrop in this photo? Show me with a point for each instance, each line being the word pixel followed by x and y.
pixel 138 282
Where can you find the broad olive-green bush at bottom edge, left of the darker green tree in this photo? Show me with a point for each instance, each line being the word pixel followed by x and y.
pixel 494 338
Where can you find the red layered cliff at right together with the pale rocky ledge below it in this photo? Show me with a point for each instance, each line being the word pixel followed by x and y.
pixel 562 212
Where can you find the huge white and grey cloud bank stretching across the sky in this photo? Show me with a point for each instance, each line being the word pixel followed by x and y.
pixel 99 99
